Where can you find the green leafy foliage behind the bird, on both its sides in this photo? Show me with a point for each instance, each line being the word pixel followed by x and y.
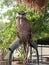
pixel 39 22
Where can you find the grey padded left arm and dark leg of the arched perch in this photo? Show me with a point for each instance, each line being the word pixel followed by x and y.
pixel 15 45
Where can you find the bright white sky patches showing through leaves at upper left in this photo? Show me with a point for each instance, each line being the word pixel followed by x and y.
pixel 3 10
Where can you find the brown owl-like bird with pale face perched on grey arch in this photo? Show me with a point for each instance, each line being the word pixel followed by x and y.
pixel 24 31
